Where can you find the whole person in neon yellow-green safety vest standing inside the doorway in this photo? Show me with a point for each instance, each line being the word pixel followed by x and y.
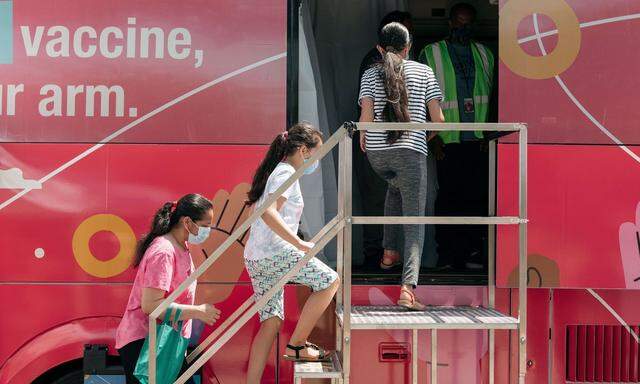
pixel 464 69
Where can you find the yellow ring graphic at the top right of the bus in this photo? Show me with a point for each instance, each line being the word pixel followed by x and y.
pixel 539 67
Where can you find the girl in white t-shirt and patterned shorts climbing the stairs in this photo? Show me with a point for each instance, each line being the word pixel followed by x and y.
pixel 274 248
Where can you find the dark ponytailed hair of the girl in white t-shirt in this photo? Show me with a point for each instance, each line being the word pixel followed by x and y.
pixel 285 144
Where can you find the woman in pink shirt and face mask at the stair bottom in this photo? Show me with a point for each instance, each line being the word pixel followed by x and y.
pixel 164 262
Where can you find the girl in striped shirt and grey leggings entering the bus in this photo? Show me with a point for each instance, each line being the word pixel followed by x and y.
pixel 400 90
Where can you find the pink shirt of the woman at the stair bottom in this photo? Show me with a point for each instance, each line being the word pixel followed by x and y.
pixel 163 267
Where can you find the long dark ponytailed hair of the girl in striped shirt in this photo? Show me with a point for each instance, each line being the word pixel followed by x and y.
pixel 393 38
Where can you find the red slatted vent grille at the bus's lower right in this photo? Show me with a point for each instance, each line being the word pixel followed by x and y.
pixel 601 354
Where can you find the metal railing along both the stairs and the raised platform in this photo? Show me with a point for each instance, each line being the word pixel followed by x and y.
pixel 341 226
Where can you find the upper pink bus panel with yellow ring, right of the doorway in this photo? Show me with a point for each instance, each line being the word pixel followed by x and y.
pixel 582 89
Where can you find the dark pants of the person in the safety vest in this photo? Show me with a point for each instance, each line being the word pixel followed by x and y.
pixel 463 181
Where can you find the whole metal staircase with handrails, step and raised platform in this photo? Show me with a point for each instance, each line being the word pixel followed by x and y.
pixel 354 318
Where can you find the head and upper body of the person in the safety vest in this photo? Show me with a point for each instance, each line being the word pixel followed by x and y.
pixel 450 61
